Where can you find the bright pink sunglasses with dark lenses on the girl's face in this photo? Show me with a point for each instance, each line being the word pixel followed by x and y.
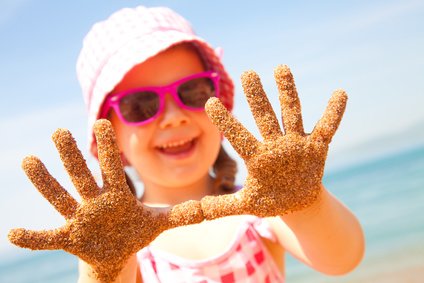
pixel 142 105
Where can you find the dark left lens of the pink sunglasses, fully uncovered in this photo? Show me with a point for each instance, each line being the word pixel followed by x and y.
pixel 139 106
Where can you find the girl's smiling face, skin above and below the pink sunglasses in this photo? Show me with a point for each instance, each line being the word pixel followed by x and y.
pixel 180 146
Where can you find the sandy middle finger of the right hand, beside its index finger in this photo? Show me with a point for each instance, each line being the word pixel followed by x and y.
pixel 260 106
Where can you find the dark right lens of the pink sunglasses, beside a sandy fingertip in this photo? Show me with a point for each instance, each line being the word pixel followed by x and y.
pixel 196 92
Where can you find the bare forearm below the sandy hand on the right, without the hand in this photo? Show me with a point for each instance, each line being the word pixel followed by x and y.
pixel 325 236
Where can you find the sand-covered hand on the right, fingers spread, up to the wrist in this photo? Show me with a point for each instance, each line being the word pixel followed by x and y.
pixel 284 170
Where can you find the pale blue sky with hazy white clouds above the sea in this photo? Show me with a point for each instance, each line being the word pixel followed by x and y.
pixel 372 49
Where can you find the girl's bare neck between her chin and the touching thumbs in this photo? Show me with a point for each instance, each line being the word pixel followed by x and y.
pixel 160 195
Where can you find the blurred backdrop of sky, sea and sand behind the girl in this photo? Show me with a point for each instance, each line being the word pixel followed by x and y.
pixel 372 49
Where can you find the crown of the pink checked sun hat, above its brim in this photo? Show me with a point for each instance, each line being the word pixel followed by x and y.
pixel 106 37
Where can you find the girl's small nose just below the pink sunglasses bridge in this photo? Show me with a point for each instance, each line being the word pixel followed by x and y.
pixel 173 115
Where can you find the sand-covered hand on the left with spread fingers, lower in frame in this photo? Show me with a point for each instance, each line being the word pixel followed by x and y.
pixel 110 224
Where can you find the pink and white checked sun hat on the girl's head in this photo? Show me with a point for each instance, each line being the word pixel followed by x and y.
pixel 131 36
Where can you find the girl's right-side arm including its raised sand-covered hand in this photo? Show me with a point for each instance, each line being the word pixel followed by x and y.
pixel 285 173
